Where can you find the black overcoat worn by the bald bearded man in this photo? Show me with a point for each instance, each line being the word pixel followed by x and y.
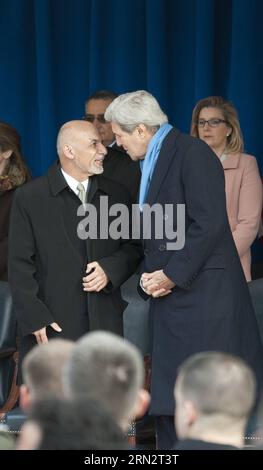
pixel 48 260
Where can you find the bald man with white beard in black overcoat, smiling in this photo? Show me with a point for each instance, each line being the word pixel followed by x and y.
pixel 65 283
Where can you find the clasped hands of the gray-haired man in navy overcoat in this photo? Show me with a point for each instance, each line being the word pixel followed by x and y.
pixel 156 284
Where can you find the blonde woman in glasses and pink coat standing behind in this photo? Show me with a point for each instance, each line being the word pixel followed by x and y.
pixel 216 122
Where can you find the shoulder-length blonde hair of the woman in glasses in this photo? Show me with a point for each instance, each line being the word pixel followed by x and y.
pixel 235 143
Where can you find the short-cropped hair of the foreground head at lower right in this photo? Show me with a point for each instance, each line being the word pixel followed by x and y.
pixel 217 383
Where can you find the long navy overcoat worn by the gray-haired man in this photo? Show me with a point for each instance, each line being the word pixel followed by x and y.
pixel 210 307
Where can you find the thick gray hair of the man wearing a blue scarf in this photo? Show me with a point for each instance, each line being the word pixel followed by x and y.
pixel 131 109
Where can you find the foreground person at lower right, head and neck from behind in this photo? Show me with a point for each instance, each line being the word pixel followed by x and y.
pixel 214 394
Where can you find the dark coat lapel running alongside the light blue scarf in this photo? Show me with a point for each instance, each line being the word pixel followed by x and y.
pixel 163 164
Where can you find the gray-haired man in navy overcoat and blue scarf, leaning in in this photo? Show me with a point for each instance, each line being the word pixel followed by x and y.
pixel 199 296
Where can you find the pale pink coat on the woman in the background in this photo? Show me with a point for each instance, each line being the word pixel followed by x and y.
pixel 244 203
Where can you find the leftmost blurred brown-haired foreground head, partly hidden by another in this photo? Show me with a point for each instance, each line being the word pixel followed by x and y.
pixel 42 368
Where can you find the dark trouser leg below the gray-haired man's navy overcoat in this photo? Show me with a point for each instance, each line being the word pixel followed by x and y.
pixel 165 432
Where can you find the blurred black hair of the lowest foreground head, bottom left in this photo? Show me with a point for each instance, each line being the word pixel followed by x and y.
pixel 76 425
